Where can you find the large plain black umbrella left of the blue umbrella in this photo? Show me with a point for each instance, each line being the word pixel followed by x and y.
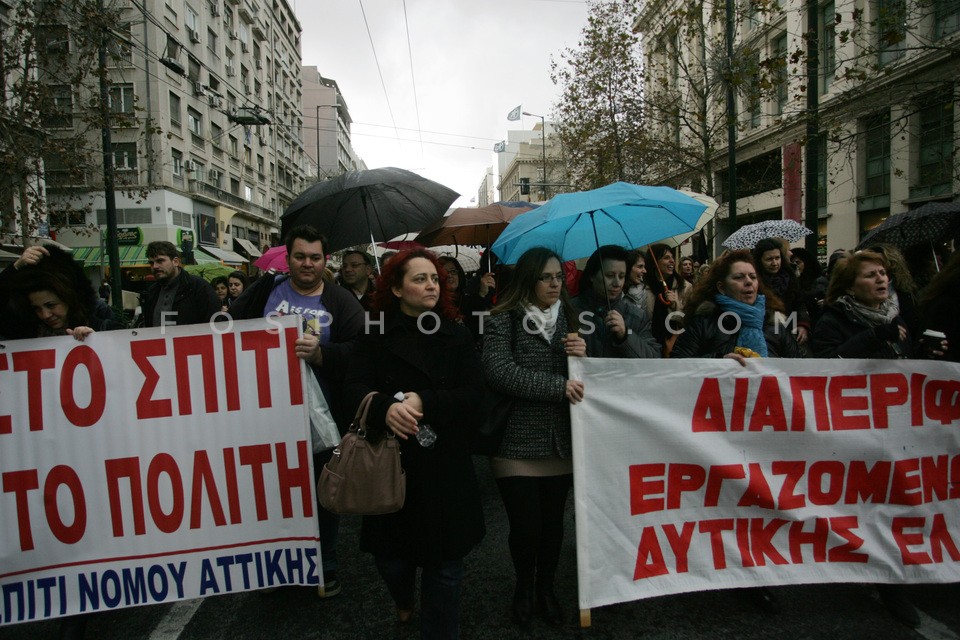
pixel 368 206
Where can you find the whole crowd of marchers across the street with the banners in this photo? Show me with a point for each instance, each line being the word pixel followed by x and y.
pixel 508 332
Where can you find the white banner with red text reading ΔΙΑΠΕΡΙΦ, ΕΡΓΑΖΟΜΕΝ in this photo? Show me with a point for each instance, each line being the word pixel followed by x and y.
pixel 702 474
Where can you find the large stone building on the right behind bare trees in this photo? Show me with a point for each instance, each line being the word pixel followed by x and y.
pixel 886 83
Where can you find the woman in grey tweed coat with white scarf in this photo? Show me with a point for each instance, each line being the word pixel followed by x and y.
pixel 527 340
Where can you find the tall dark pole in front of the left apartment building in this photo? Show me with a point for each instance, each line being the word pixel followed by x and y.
pixel 109 182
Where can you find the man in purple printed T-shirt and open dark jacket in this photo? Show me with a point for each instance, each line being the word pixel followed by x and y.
pixel 334 319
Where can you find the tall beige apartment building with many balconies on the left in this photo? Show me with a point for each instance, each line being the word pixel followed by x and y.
pixel 212 150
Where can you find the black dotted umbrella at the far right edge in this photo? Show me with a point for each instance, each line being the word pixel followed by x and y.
pixel 930 223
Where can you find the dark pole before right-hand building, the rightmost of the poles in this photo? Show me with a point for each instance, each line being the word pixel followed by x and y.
pixel 812 152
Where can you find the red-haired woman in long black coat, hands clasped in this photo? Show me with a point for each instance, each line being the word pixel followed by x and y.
pixel 425 371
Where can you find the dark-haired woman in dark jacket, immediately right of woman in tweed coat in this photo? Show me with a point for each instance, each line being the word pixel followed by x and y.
pixel 612 326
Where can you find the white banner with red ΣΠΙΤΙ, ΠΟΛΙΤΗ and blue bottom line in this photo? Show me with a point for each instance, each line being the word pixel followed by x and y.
pixel 154 465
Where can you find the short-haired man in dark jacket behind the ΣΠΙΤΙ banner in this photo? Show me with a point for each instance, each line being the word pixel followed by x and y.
pixel 176 297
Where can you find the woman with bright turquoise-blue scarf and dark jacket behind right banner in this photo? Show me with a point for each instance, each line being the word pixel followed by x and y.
pixel 718 319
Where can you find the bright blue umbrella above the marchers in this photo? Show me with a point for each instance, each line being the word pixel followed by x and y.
pixel 576 224
